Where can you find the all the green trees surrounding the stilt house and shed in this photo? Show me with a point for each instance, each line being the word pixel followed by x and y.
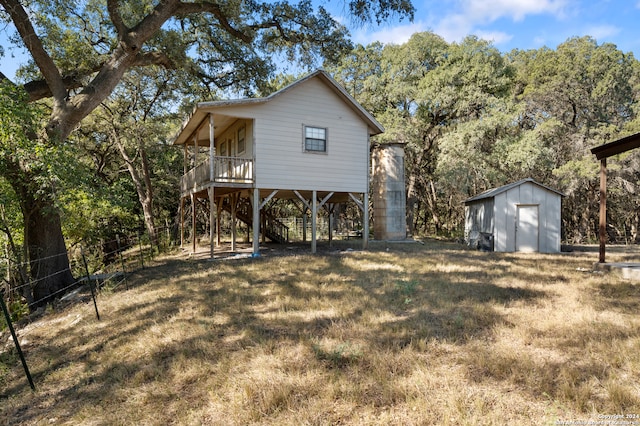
pixel 85 130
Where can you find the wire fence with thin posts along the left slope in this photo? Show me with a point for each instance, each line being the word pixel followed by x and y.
pixel 84 271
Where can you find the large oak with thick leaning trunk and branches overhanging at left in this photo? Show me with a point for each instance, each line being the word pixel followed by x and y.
pixel 81 51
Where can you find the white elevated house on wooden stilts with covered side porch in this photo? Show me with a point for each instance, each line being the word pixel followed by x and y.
pixel 308 142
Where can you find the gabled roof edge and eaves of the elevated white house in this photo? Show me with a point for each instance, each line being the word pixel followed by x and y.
pixel 201 109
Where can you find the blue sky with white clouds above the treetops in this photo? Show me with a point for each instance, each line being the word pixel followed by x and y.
pixel 509 24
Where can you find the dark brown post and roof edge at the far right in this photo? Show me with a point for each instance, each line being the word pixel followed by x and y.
pixel 603 152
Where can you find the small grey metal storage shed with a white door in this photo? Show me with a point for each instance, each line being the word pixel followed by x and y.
pixel 521 216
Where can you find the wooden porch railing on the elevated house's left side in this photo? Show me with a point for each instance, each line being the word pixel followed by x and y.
pixel 225 170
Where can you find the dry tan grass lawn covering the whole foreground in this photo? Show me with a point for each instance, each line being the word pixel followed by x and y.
pixel 405 334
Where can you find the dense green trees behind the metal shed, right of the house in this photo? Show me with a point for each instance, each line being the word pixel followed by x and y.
pixel 473 118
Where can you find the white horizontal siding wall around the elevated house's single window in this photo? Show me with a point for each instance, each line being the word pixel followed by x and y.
pixel 278 131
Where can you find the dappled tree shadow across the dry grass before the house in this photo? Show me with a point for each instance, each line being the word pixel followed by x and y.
pixel 298 300
